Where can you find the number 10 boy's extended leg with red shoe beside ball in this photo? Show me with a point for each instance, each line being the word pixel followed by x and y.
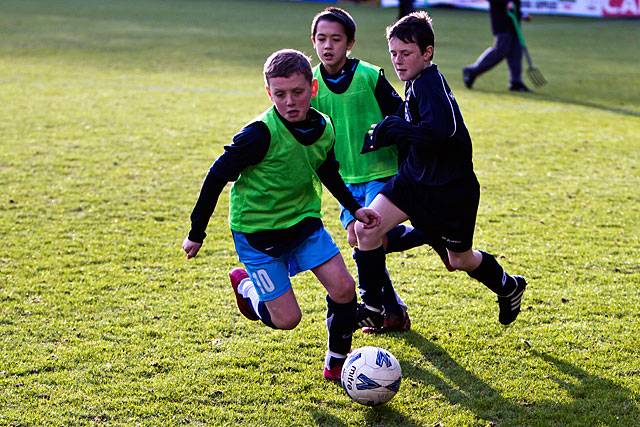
pixel 341 312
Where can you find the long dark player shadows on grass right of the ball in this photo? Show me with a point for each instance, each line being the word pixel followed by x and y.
pixel 593 400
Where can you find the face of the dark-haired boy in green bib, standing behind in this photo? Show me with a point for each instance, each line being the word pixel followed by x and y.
pixel 331 45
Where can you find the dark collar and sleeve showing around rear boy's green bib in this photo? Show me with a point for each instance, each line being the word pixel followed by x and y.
pixel 388 99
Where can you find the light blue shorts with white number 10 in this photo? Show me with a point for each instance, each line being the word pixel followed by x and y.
pixel 271 275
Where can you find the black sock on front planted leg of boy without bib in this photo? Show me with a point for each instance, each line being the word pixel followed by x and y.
pixel 372 275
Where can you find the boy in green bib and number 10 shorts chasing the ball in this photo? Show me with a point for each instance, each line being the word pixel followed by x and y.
pixel 278 162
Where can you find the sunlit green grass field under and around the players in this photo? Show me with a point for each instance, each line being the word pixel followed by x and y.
pixel 110 115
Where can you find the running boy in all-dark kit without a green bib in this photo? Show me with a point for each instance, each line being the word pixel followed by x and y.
pixel 436 187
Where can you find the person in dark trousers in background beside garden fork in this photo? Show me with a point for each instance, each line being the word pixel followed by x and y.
pixel 506 45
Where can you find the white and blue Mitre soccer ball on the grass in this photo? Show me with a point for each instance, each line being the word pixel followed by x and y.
pixel 371 375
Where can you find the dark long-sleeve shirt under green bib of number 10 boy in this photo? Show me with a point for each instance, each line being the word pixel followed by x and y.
pixel 250 145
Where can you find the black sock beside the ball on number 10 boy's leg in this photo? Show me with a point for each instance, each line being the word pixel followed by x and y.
pixel 340 325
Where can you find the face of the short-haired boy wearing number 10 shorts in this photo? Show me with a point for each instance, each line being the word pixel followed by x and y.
pixel 292 95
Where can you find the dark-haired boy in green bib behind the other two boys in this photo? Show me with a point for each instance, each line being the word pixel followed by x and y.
pixel 356 94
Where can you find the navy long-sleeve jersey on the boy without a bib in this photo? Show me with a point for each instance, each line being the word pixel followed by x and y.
pixel 432 131
